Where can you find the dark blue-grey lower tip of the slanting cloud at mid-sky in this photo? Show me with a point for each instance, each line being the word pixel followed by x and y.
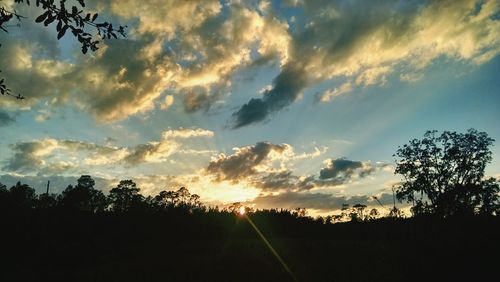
pixel 287 87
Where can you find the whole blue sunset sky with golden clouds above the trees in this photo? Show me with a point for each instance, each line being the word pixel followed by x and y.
pixel 280 104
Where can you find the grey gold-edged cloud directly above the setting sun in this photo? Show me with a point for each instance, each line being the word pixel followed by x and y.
pixel 242 164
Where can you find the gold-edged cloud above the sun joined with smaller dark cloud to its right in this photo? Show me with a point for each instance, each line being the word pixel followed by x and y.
pixel 269 167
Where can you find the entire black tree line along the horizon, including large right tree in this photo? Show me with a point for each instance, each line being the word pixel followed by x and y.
pixel 443 176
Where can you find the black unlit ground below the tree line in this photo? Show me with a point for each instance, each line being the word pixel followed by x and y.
pixel 205 247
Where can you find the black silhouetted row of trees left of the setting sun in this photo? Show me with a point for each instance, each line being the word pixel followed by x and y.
pixel 84 197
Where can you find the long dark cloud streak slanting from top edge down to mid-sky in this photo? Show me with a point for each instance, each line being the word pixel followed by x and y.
pixel 333 38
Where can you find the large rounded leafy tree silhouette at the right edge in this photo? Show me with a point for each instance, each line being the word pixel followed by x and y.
pixel 444 174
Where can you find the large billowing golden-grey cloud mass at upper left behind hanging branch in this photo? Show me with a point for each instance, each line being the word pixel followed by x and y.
pixel 189 49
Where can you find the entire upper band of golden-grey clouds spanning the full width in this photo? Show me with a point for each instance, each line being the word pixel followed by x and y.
pixel 192 49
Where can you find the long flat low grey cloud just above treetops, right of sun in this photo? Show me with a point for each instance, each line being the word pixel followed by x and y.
pixel 318 201
